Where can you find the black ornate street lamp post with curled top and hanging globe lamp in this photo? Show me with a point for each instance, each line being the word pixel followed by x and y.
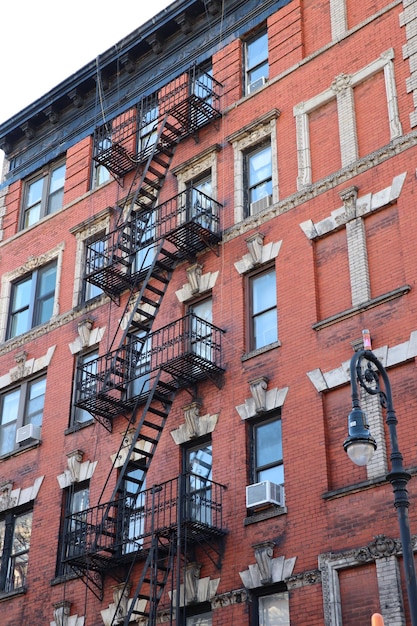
pixel 360 446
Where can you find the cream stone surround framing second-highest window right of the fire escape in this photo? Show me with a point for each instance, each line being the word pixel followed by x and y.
pixel 241 141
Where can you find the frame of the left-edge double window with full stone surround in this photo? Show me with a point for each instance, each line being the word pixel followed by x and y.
pixel 35 298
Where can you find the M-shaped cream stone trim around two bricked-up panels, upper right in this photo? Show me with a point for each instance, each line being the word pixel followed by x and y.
pixel 342 89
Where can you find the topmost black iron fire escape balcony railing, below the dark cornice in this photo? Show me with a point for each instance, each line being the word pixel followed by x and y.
pixel 126 142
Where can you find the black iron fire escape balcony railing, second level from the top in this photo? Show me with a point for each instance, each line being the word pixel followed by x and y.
pixel 190 221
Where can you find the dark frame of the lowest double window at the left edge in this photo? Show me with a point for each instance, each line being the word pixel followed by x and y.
pixel 6 554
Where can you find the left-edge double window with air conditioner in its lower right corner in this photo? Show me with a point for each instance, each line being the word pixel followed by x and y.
pixel 19 407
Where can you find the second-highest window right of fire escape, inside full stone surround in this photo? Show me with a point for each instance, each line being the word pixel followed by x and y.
pixel 258 170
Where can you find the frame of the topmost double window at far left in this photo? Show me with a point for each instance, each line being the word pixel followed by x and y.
pixel 45 201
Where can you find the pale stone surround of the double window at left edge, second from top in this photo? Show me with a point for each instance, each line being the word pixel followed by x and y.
pixel 31 264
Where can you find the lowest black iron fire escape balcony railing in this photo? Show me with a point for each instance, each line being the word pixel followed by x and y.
pixel 104 536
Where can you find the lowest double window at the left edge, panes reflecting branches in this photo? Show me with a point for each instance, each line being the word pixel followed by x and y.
pixel 15 533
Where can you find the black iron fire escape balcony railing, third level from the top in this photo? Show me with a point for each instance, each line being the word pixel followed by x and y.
pixel 187 350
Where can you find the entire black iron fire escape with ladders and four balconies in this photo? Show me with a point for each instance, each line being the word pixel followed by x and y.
pixel 138 378
